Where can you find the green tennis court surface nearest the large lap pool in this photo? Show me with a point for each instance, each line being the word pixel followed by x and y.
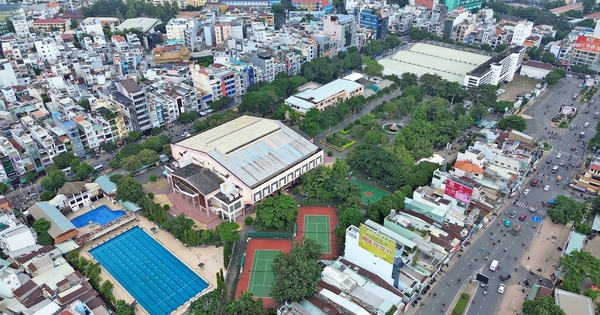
pixel 261 275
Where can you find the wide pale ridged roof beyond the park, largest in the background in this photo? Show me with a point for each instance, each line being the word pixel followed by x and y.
pixel 450 64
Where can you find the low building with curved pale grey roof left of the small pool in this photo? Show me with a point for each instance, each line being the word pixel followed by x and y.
pixel 61 229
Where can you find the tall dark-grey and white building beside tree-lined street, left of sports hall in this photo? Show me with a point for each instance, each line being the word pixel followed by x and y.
pixel 131 98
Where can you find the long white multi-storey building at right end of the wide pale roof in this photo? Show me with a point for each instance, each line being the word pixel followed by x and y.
pixel 496 70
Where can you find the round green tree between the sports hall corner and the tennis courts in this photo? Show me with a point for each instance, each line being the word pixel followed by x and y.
pixel 277 212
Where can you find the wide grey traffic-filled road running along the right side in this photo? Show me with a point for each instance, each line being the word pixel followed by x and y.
pixel 447 287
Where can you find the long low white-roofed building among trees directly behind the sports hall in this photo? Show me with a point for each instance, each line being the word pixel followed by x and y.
pixel 313 95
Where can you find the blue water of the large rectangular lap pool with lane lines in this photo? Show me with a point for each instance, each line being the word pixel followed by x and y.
pixel 159 281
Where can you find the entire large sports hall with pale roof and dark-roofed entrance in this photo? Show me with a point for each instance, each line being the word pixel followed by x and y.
pixel 235 165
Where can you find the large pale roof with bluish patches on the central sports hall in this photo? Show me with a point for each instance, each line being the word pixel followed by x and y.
pixel 252 149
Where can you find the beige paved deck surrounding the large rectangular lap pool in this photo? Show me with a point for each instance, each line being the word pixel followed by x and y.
pixel 192 257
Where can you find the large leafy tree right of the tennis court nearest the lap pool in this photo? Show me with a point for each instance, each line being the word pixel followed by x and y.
pixel 296 273
